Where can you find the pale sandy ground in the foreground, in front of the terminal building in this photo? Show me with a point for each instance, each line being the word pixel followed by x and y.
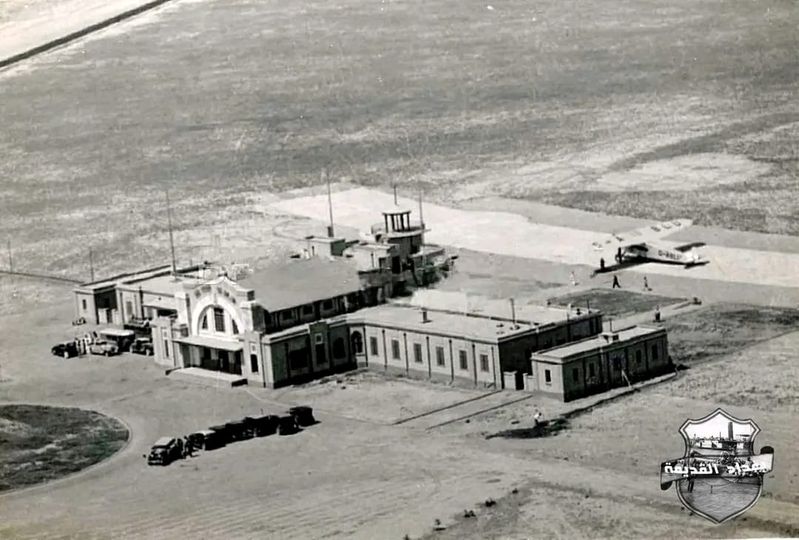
pixel 350 476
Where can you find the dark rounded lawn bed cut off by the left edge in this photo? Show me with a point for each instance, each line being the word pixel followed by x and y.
pixel 41 443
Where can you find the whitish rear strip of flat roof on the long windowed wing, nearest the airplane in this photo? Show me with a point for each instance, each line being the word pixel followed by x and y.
pixel 487 307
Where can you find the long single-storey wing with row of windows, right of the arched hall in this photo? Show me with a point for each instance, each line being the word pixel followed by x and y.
pixel 487 351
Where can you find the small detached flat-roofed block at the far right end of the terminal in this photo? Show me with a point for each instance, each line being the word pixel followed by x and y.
pixel 599 363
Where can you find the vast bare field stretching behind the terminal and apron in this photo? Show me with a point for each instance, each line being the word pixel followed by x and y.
pixel 524 101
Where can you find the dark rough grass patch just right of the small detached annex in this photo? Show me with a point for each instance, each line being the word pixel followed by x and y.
pixel 723 329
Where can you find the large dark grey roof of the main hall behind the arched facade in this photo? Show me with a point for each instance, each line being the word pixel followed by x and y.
pixel 298 282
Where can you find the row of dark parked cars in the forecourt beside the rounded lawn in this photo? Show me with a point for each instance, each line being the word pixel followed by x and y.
pixel 169 449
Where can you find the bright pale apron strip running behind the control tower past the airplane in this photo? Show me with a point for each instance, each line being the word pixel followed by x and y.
pixel 510 234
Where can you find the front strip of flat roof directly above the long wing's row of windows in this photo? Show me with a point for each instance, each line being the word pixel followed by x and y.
pixel 449 324
